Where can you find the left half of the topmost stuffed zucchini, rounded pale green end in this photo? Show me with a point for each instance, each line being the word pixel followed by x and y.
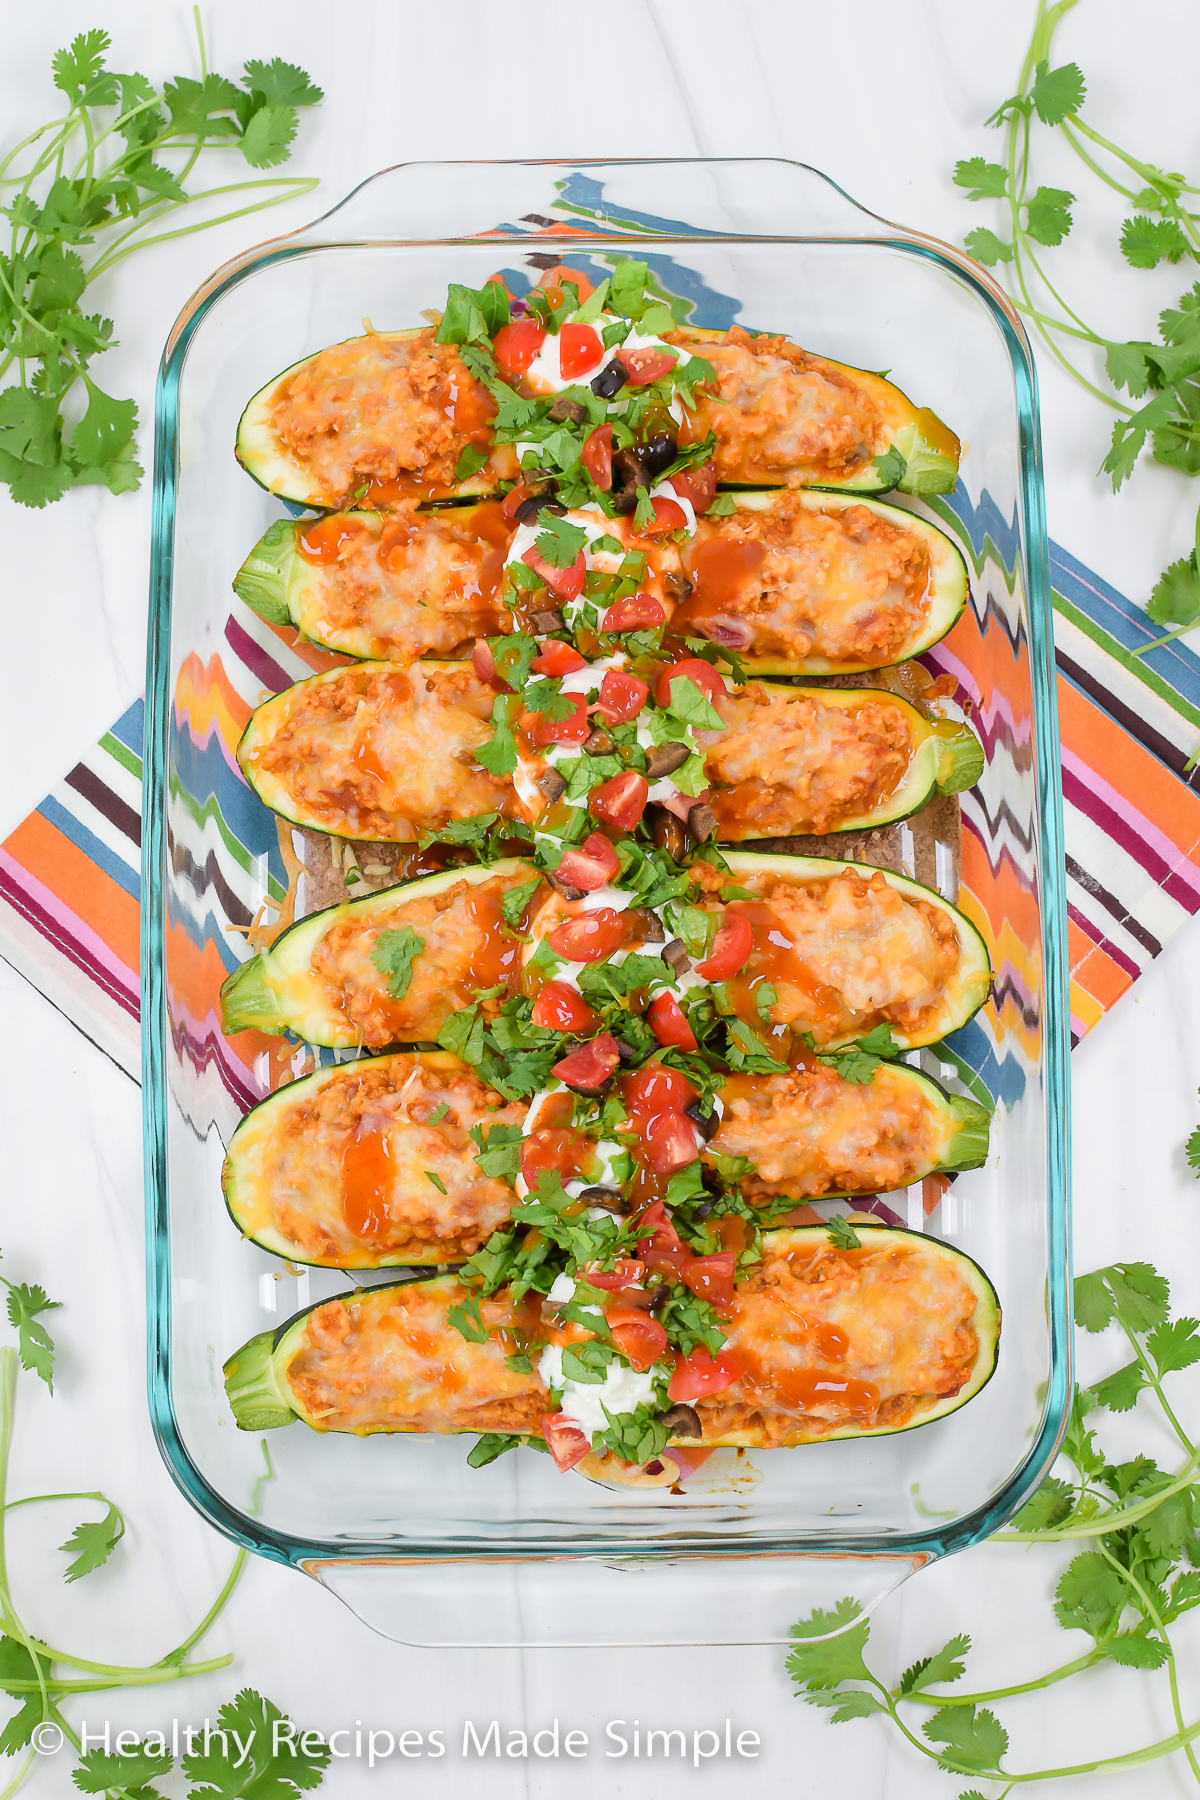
pixel 390 413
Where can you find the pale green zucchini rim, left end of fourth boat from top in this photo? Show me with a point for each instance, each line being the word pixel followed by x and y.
pixel 269 991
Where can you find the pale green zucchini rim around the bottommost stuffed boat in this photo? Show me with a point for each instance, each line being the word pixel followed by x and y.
pixel 262 1399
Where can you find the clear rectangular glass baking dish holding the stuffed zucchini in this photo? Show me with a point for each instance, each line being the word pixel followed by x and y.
pixel 422 1547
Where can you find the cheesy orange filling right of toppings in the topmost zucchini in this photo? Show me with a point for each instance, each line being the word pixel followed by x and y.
pixel 782 413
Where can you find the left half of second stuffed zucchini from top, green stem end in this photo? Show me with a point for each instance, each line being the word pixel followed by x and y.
pixel 384 586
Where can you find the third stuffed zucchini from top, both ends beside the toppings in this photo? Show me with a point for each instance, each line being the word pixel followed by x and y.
pixel 379 753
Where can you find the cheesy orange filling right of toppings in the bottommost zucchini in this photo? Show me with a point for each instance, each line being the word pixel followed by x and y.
pixel 834 1338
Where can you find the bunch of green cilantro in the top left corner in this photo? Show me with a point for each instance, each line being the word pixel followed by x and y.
pixel 111 174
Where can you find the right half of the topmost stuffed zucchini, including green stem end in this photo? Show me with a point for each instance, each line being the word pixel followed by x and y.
pixel 787 418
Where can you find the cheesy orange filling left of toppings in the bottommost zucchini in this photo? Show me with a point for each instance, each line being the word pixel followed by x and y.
pixel 393 1362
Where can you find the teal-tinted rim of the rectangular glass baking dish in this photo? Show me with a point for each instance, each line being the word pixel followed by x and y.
pixel 922 1547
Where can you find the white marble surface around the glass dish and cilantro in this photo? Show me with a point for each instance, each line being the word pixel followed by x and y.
pixel 884 100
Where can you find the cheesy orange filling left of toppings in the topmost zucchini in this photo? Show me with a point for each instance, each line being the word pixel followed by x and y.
pixel 381 409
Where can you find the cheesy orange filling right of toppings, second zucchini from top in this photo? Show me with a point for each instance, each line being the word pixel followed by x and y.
pixel 843 586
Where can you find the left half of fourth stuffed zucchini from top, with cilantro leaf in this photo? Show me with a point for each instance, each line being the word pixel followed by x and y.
pixel 321 980
